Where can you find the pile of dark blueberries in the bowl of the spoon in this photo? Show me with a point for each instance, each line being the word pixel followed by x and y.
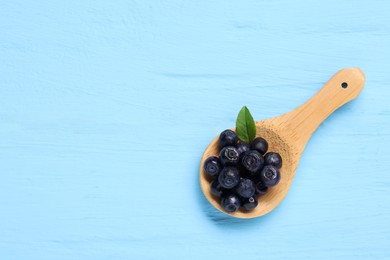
pixel 242 172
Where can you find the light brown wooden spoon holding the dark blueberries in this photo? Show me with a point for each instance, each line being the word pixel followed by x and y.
pixel 288 134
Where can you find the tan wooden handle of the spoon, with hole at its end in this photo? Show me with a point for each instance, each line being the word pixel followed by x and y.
pixel 343 87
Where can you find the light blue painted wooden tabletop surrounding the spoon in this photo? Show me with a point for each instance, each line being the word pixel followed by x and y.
pixel 107 106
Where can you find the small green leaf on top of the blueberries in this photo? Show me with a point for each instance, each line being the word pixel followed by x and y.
pixel 245 126
